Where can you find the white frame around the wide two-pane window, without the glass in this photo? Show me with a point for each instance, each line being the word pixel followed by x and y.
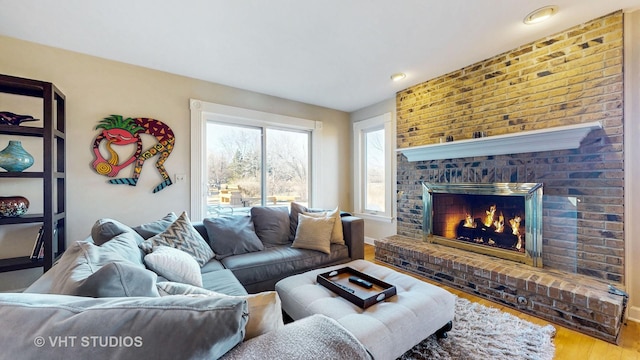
pixel 202 112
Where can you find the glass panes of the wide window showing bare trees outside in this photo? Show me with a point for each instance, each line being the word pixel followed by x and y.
pixel 240 176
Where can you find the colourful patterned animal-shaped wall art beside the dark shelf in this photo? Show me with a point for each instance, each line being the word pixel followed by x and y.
pixel 119 131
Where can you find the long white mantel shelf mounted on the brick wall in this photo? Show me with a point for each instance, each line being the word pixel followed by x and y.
pixel 556 138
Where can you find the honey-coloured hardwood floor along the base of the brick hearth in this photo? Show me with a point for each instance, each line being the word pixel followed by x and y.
pixel 570 344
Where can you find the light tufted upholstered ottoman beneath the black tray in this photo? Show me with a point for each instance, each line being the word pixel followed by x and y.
pixel 388 328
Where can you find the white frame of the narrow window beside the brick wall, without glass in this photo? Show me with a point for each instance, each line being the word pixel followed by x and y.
pixel 360 128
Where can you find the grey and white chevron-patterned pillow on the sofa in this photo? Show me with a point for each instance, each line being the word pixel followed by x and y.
pixel 183 236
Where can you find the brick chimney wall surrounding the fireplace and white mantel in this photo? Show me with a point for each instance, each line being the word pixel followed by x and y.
pixel 572 77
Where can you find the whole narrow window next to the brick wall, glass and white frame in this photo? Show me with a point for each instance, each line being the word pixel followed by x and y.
pixel 373 147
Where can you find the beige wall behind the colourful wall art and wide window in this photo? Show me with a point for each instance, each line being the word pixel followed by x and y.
pixel 96 88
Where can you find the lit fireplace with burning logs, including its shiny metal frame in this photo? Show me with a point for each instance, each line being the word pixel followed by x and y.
pixel 499 219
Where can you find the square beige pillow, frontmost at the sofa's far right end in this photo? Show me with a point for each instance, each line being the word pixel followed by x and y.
pixel 314 233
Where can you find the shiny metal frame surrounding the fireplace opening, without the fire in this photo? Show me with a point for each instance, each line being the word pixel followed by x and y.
pixel 532 193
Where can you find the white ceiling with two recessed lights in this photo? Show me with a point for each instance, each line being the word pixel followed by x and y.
pixel 333 53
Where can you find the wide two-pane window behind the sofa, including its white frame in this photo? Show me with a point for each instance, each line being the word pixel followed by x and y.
pixel 244 158
